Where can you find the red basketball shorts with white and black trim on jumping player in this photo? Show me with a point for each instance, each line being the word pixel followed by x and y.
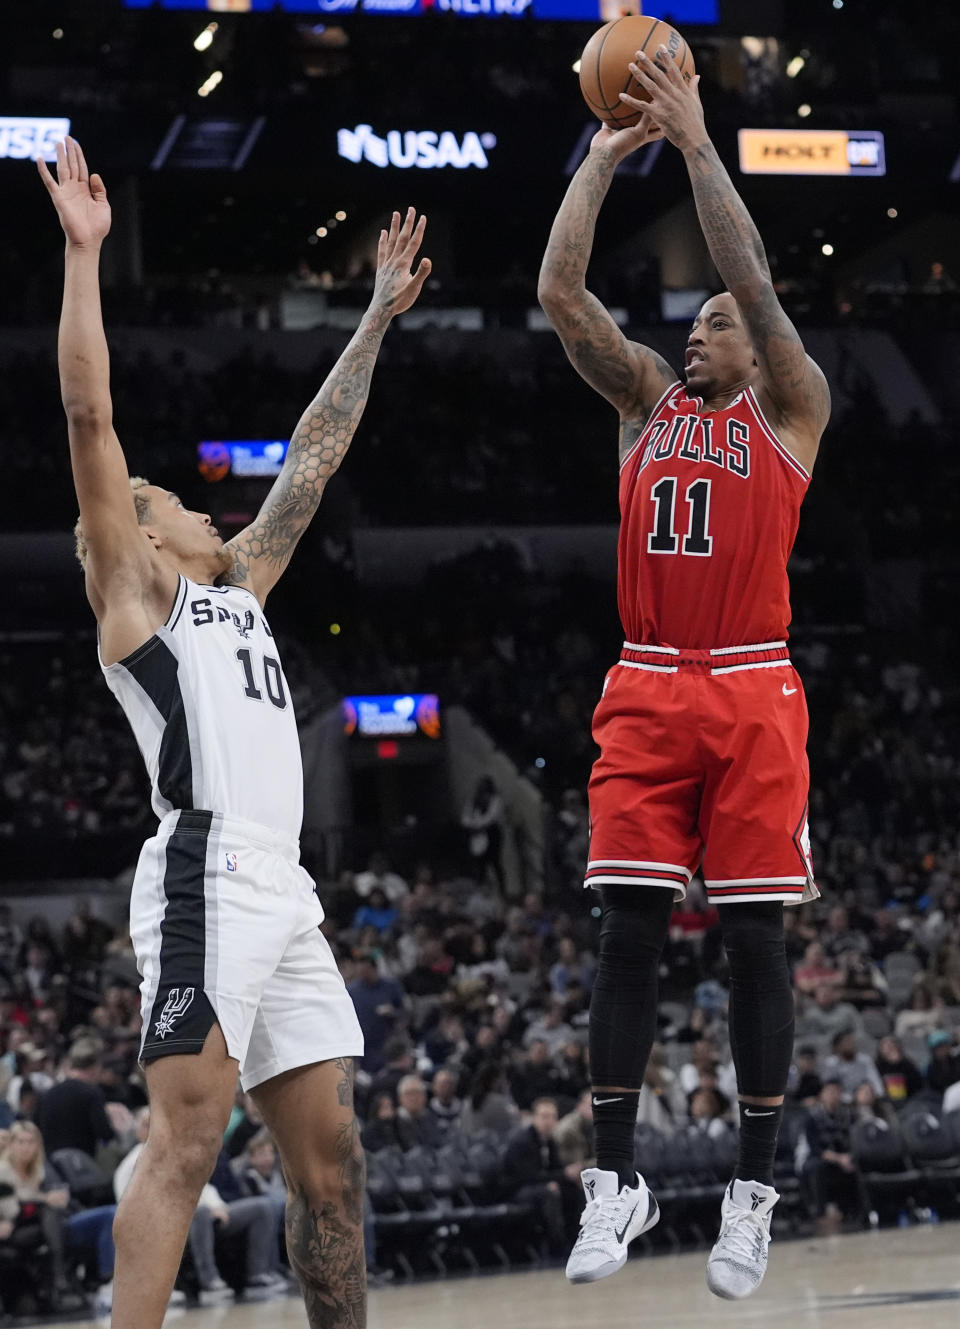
pixel 703 766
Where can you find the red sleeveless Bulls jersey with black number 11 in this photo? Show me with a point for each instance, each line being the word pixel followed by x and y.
pixel 709 511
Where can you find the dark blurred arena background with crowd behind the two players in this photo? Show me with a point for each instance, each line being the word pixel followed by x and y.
pixel 467 552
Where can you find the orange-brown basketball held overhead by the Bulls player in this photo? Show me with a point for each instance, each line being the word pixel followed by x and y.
pixel 604 64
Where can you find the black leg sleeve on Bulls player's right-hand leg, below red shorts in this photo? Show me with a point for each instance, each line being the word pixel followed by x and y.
pixel 761 997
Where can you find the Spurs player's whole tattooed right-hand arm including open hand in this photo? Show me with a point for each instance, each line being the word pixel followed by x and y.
pixel 320 442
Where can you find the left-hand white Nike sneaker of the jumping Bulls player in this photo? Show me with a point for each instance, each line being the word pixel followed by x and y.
pixel 610 1223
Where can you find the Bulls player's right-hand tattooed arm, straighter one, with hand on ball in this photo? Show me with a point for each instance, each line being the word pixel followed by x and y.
pixel 794 383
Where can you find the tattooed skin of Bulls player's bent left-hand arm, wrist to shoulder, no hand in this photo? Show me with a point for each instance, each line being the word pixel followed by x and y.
pixel 594 344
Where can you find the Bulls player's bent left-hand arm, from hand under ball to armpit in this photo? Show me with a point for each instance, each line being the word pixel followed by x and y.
pixel 631 377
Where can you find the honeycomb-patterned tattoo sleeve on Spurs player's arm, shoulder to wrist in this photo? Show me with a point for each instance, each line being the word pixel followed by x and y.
pixel 317 449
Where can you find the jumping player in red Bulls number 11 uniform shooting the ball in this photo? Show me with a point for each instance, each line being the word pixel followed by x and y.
pixel 703 724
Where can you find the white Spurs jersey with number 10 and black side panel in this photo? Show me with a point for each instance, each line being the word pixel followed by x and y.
pixel 212 712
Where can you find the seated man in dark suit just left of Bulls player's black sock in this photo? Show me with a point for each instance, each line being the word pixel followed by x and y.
pixel 534 1176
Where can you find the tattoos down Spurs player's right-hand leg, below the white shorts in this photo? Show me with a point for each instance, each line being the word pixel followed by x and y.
pixel 325 1239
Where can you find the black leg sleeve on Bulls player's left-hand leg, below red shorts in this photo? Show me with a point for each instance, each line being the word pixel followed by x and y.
pixel 624 1004
